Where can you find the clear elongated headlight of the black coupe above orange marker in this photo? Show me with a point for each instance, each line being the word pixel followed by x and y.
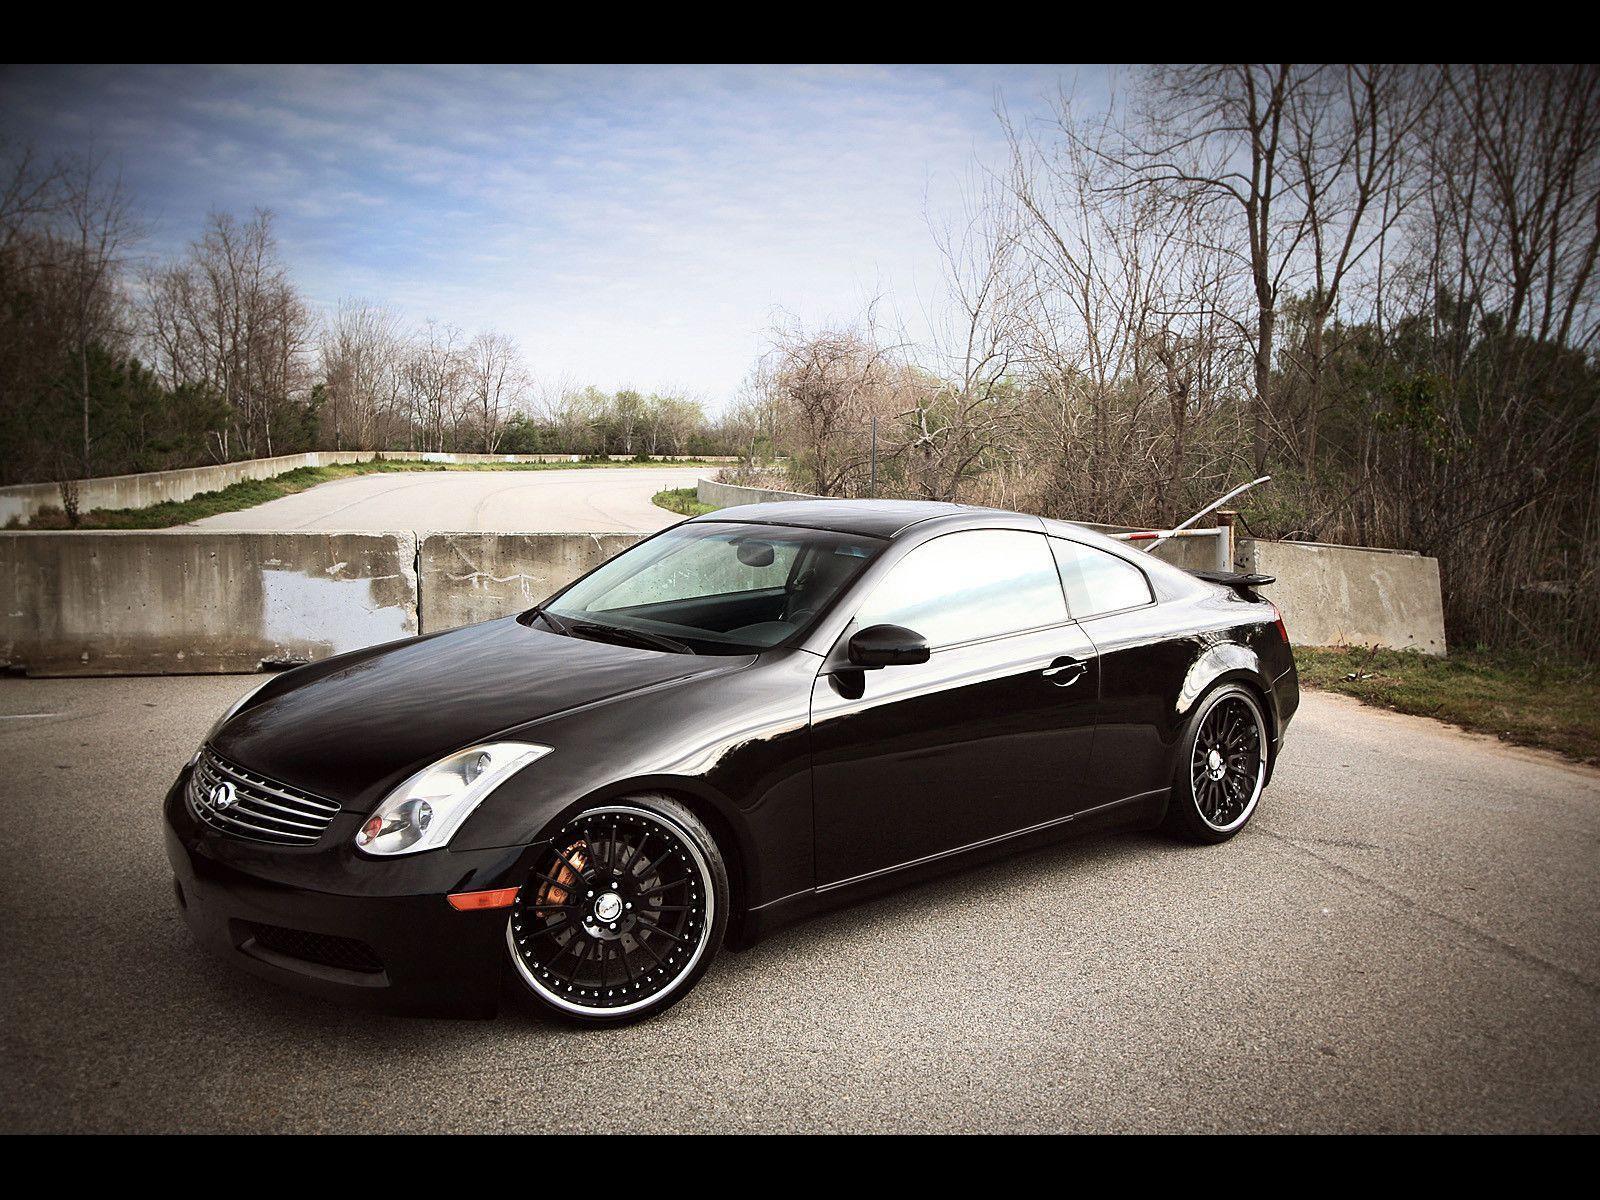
pixel 430 807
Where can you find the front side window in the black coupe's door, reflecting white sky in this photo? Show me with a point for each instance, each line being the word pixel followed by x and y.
pixel 967 586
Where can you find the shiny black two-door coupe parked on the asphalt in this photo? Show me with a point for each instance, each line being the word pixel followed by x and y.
pixel 737 722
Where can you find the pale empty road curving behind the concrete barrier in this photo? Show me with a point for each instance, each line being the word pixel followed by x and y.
pixel 583 500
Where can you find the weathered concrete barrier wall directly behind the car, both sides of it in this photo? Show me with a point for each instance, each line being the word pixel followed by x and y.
pixel 194 602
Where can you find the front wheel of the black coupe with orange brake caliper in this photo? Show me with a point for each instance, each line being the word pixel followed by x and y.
pixel 580 940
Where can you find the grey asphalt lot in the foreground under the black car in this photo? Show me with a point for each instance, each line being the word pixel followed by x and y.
pixel 1406 938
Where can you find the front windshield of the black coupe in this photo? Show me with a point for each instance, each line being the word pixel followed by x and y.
pixel 713 588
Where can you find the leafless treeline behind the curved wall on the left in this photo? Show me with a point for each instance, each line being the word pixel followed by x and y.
pixel 114 364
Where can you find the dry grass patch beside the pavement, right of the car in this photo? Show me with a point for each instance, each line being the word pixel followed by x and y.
pixel 1514 697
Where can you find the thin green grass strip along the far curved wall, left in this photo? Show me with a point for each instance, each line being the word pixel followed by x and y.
pixel 250 494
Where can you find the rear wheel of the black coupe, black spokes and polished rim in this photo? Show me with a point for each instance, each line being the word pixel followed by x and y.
pixel 1223 767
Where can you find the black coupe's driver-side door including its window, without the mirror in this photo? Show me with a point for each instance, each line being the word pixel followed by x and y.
pixel 991 735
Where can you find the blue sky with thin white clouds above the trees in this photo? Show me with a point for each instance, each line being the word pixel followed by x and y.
pixel 628 225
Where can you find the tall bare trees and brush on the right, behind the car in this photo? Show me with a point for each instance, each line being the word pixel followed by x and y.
pixel 1375 284
